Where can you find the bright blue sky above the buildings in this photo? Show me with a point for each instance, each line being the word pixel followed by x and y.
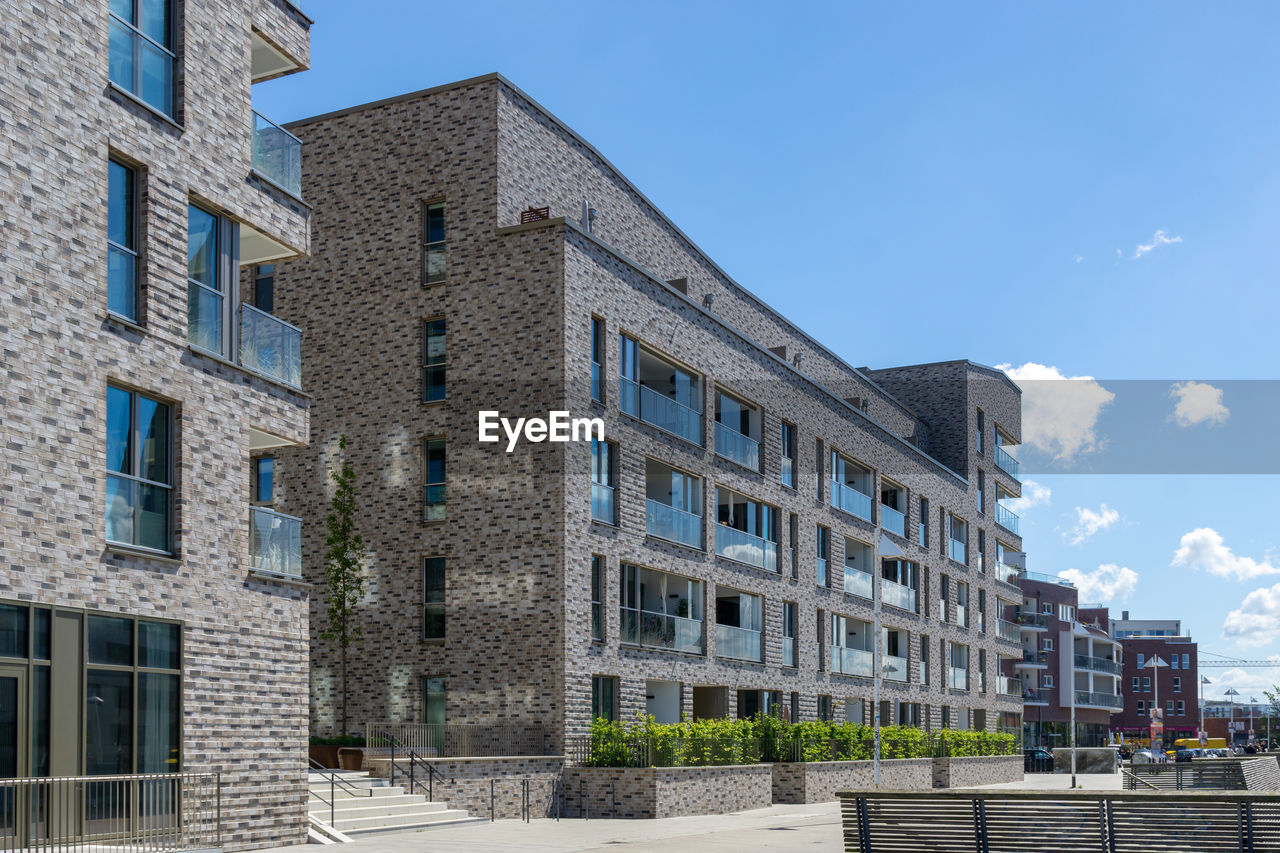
pixel 1091 188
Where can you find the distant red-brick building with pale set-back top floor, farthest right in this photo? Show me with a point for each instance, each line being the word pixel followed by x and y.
pixel 1177 704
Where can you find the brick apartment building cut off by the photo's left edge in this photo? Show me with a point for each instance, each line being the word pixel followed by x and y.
pixel 150 618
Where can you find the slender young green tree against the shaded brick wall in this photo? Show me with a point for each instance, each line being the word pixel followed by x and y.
pixel 344 569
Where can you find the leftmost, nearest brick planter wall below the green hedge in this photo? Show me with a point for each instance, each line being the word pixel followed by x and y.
pixel 666 792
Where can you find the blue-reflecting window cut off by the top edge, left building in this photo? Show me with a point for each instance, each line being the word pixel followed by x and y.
pixel 141 51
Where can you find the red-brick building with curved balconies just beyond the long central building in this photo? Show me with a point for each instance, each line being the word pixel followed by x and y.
pixel 1068 659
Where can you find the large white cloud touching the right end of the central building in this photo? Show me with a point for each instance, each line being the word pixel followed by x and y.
pixel 1060 413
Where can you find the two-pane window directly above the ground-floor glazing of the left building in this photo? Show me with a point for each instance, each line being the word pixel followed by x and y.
pixel 139 471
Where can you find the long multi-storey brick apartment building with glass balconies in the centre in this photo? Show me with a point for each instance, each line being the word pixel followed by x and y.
pixel 719 553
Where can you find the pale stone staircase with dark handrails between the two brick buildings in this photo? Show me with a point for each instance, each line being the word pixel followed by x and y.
pixel 364 806
